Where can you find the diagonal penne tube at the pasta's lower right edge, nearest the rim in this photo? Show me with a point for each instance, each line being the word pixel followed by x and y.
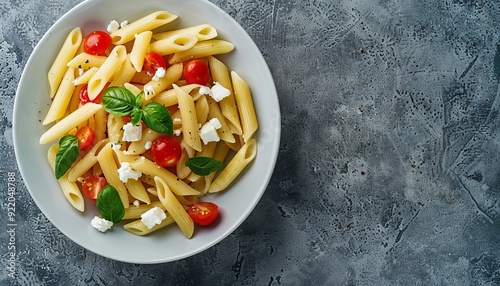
pixel 242 158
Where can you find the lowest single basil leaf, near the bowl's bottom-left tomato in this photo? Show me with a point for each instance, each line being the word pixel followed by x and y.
pixel 109 204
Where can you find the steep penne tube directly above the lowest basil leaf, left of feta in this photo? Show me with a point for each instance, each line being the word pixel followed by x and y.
pixel 109 168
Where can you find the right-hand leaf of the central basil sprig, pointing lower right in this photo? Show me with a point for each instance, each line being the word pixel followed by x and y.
pixel 157 117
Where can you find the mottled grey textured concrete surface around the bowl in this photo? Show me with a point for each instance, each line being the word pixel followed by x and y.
pixel 388 172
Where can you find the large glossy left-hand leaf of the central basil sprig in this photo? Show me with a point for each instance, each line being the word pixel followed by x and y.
pixel 119 101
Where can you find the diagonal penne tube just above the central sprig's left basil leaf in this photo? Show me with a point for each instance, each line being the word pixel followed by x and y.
pixel 112 63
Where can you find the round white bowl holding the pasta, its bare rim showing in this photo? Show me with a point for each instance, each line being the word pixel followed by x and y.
pixel 32 102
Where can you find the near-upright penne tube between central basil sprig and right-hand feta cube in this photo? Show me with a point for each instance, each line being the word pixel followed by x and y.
pixel 189 121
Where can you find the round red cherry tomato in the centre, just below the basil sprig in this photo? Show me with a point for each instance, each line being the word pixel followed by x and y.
pixel 166 151
